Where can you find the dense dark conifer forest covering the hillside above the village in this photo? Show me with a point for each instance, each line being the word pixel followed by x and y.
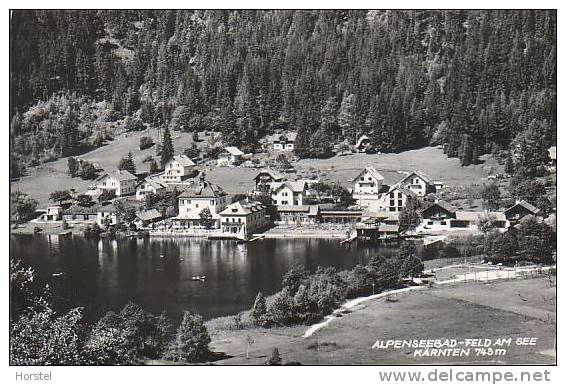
pixel 470 80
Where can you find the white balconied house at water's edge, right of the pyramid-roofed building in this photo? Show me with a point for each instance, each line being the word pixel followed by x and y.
pixel 242 218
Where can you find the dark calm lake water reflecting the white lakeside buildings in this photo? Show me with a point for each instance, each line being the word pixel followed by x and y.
pixel 104 275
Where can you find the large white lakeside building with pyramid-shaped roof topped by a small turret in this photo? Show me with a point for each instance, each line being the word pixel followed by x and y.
pixel 200 196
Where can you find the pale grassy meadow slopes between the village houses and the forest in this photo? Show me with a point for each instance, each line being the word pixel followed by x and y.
pixel 44 179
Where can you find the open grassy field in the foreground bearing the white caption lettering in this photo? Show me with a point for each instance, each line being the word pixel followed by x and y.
pixel 499 309
